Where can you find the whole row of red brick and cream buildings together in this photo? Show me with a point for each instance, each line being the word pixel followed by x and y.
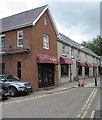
pixel 34 50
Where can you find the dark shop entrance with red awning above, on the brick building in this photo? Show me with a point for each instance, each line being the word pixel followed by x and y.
pixel 46 70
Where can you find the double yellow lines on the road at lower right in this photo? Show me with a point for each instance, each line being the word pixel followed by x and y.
pixel 87 104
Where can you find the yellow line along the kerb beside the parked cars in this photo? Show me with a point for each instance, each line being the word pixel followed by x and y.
pixel 36 97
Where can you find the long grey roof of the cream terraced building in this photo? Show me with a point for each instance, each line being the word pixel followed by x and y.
pixel 72 43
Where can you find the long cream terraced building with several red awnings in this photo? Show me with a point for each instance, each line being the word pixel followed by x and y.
pixel 76 60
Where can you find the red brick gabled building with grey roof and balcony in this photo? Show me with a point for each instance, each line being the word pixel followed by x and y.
pixel 29 47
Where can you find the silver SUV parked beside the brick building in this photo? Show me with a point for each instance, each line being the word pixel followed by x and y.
pixel 16 86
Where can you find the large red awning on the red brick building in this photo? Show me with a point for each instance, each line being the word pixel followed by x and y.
pixel 42 58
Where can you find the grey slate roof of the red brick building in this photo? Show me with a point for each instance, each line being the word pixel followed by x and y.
pixel 22 19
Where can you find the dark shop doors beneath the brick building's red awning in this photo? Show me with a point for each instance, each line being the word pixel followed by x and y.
pixel 46 75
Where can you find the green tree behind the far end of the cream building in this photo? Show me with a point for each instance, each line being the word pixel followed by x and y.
pixel 95 45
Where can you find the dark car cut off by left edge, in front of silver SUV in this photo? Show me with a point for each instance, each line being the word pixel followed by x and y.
pixel 4 91
